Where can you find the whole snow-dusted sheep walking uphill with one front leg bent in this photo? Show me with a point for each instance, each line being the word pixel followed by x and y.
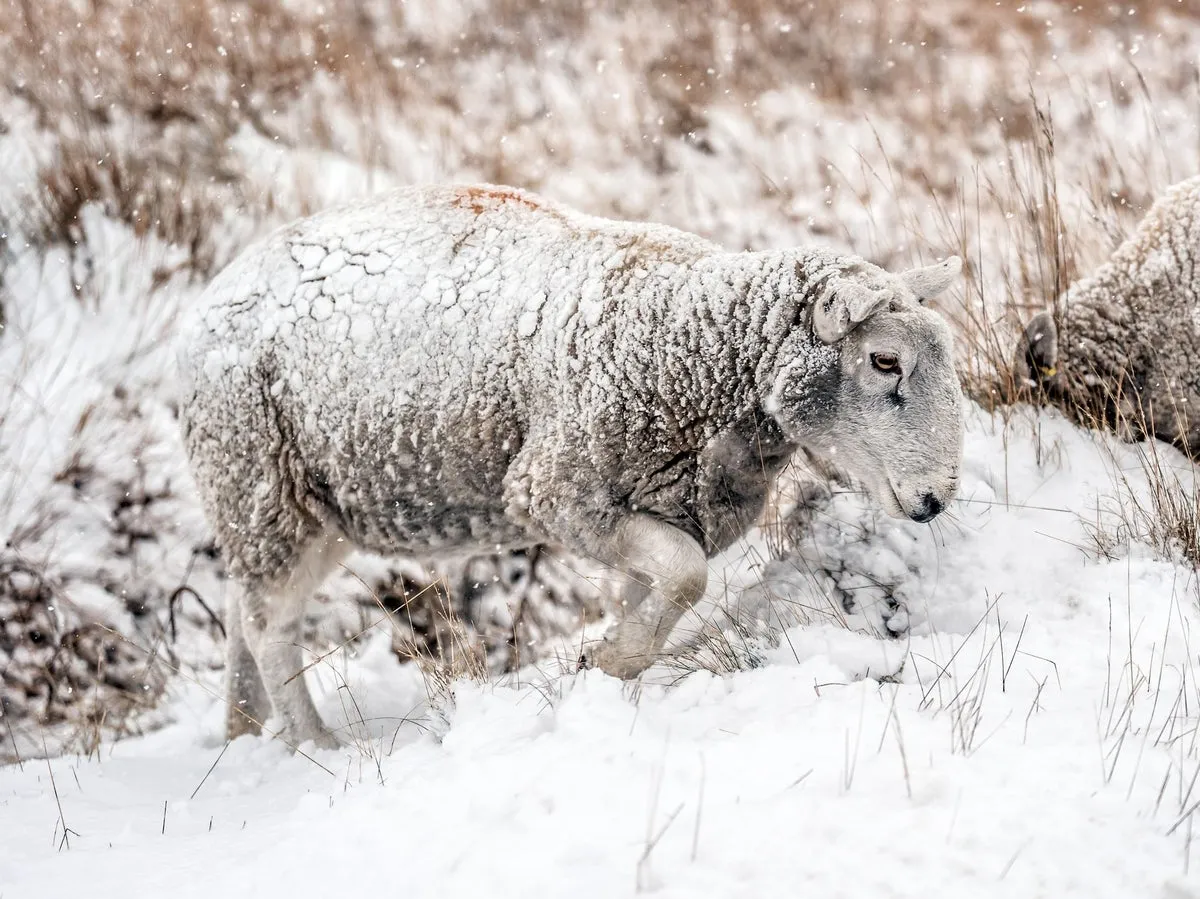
pixel 464 369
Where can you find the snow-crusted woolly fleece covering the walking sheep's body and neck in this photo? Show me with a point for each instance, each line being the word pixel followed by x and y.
pixel 518 355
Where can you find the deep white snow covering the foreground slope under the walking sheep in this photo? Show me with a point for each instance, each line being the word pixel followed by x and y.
pixel 1034 734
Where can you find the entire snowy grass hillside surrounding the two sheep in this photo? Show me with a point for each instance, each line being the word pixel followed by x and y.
pixel 1003 704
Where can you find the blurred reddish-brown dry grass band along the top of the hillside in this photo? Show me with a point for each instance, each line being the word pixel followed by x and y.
pixel 145 129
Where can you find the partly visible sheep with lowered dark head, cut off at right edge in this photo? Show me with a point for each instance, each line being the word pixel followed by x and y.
pixel 1123 350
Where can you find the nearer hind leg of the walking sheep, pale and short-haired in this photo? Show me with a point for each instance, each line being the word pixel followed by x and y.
pixel 273 621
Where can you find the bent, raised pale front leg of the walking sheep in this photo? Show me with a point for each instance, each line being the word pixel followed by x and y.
pixel 668 573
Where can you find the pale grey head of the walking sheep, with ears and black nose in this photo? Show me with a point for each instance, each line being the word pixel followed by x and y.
pixel 892 412
